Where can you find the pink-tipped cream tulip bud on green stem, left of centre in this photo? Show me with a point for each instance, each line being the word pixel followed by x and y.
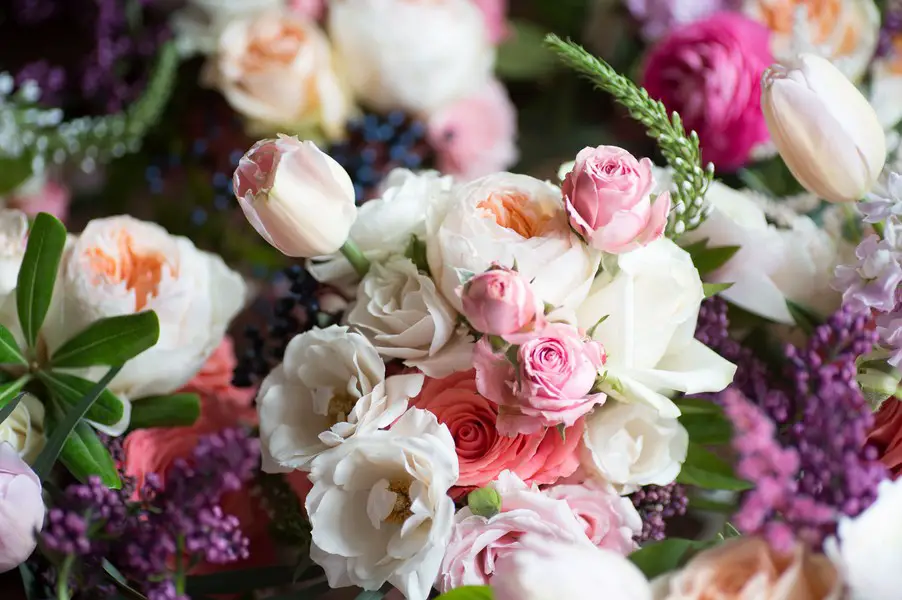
pixel 297 197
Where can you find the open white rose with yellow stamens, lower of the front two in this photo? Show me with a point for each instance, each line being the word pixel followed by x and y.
pixel 379 508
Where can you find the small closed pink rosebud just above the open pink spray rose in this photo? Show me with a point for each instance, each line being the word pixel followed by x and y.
pixel 499 302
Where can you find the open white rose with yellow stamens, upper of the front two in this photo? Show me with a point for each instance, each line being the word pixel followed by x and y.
pixel 330 386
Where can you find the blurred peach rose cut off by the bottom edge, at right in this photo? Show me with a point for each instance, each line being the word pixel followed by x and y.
pixel 748 569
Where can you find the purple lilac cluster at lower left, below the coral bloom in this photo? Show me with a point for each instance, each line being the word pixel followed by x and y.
pixel 142 536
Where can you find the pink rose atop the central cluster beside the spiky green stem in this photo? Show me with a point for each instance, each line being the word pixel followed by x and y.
pixel 608 198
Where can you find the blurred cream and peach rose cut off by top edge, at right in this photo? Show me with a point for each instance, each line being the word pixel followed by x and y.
pixel 845 31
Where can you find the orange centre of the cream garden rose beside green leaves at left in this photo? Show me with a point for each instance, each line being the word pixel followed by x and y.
pixel 141 271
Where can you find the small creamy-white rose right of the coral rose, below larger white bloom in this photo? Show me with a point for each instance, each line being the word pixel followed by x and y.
pixel 631 445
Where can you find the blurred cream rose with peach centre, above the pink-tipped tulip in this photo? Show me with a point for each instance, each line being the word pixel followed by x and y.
pixel 276 68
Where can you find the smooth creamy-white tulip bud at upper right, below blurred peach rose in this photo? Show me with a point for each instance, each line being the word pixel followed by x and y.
pixel 826 131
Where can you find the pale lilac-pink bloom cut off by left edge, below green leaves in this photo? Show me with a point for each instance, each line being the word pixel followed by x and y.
pixel 21 509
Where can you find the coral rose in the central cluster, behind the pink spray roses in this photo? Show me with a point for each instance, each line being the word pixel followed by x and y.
pixel 482 452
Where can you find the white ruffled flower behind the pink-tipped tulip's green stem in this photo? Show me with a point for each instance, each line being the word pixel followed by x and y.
pixel 385 225
